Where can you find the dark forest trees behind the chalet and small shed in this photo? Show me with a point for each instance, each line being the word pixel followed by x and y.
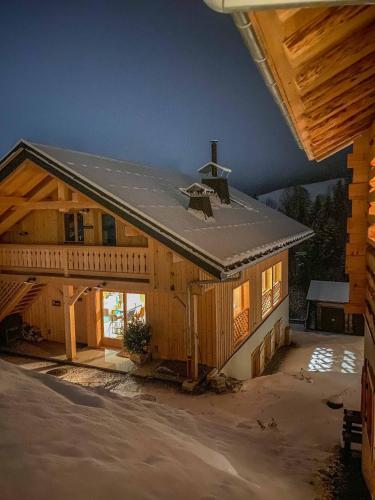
pixel 323 256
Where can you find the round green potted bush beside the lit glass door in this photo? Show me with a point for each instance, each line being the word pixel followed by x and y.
pixel 137 340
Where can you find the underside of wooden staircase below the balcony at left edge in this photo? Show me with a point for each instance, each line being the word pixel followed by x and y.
pixel 16 296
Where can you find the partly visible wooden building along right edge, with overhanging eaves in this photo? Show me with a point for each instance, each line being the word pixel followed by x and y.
pixel 319 63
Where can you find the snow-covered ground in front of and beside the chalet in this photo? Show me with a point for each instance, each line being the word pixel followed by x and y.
pixel 142 440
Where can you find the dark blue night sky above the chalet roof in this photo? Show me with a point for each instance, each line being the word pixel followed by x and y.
pixel 145 80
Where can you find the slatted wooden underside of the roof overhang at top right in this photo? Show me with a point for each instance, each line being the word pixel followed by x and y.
pixel 323 60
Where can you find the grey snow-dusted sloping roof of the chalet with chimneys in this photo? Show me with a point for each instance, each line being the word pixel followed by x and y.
pixel 149 198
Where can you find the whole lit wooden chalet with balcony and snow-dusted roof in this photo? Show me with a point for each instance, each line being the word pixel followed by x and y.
pixel 86 241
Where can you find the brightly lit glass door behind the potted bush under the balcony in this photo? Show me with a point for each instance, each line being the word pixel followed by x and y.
pixel 119 307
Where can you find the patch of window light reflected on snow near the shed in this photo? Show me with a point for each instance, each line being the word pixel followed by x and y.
pixel 327 359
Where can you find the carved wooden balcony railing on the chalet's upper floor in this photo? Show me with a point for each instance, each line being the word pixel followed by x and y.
pixel 75 259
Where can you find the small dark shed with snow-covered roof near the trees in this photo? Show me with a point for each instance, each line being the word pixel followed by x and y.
pixel 325 309
